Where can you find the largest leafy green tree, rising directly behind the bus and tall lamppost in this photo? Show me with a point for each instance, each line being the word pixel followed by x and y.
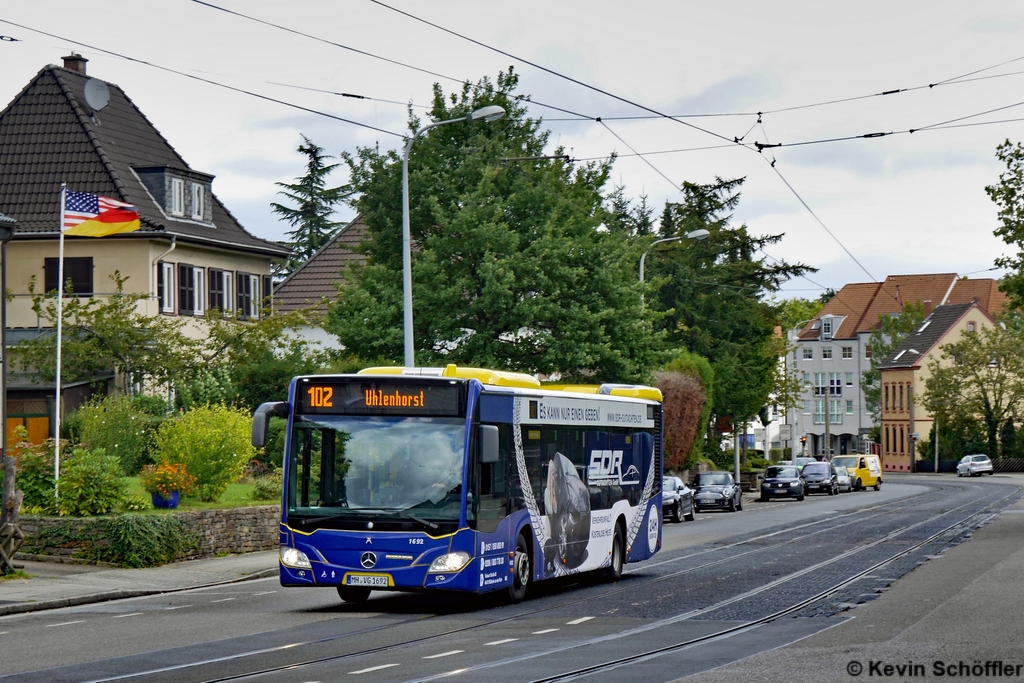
pixel 510 270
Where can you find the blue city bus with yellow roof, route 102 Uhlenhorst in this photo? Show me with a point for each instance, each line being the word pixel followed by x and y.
pixel 463 480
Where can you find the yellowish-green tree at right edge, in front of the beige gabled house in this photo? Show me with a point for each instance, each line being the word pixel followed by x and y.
pixel 980 377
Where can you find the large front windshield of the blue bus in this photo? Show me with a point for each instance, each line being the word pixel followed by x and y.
pixel 355 466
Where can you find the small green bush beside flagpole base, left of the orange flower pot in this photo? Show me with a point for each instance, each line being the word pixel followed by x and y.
pixel 91 484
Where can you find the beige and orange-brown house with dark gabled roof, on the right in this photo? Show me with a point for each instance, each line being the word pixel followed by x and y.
pixel 906 372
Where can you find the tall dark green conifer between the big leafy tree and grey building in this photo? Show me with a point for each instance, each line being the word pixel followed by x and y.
pixel 714 295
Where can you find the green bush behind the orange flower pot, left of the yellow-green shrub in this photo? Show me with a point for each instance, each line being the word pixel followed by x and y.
pixel 119 425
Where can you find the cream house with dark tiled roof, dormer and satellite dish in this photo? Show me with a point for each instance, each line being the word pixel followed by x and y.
pixel 191 254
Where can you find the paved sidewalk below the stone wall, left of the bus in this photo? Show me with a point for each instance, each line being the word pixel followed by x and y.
pixel 66 586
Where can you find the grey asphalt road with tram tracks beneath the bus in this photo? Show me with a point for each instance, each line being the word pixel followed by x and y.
pixel 724 571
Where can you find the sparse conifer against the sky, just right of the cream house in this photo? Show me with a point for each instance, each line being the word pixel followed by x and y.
pixel 315 205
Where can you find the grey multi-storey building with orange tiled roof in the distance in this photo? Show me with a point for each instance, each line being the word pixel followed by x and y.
pixel 832 352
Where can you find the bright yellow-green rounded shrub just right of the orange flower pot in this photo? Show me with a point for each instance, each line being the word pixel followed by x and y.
pixel 212 443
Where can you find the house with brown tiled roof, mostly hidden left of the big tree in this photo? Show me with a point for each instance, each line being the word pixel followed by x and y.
pixel 316 282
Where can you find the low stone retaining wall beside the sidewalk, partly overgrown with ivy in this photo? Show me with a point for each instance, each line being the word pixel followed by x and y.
pixel 218 533
